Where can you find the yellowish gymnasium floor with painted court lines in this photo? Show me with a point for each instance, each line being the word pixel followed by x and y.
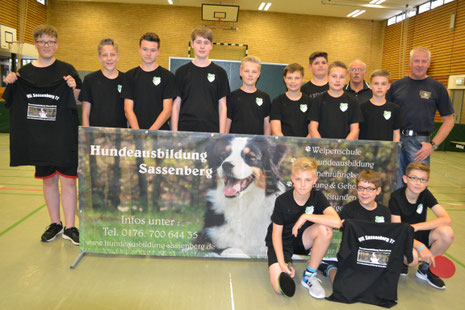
pixel 36 275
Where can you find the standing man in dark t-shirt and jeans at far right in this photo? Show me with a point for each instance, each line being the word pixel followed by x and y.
pixel 419 96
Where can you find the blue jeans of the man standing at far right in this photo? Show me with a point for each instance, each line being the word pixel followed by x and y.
pixel 410 145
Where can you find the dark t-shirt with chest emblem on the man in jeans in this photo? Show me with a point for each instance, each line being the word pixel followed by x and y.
pixel 418 101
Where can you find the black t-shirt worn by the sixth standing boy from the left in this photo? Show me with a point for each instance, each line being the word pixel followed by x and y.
pixel 292 114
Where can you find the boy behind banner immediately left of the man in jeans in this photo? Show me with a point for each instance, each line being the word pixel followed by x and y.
pixel 381 119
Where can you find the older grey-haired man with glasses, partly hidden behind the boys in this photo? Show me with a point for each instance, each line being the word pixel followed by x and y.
pixel 357 86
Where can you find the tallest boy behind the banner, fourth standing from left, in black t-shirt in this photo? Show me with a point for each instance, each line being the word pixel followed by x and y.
pixel 202 88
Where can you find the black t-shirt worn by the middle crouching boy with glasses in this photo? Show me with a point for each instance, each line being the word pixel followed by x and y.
pixel 353 210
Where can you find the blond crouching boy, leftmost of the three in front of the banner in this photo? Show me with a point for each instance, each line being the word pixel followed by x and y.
pixel 302 219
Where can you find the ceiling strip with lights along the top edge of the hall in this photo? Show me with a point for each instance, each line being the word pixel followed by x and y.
pixel 335 8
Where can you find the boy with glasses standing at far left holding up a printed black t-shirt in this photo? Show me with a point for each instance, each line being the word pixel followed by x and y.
pixel 48 129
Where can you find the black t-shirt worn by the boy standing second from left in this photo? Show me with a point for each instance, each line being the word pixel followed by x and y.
pixel 104 95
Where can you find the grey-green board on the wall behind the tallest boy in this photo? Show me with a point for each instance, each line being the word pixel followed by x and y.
pixel 271 77
